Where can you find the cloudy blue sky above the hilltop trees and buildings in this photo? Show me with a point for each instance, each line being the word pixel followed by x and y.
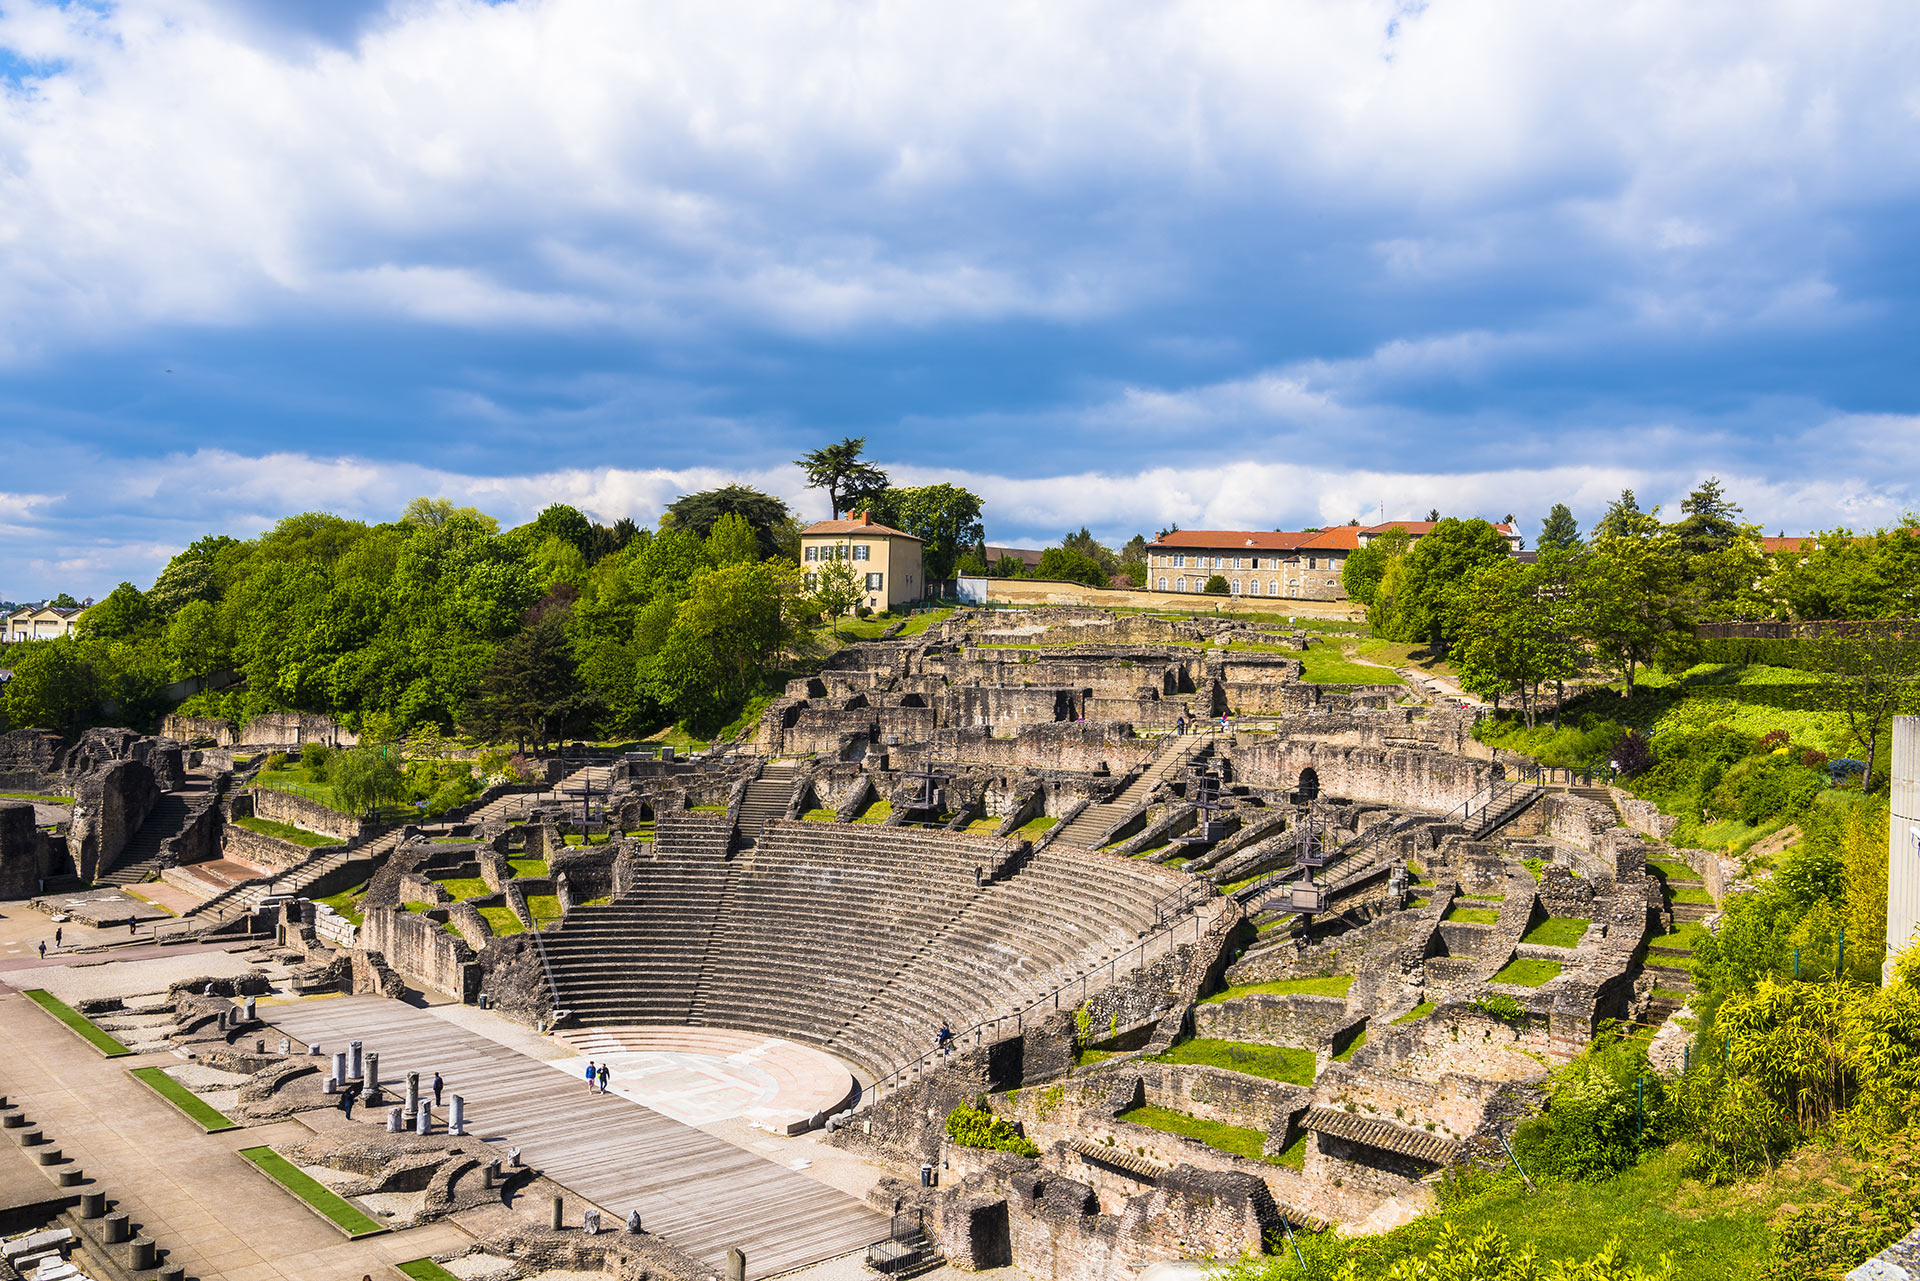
pixel 1128 266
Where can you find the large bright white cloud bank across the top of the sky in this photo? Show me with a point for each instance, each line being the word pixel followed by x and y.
pixel 817 166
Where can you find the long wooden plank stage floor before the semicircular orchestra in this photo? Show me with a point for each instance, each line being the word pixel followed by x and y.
pixel 690 1188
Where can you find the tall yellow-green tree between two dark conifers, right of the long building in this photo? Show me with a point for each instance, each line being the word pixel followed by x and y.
pixel 1631 606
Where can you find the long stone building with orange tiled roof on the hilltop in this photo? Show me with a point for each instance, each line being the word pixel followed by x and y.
pixel 1287 564
